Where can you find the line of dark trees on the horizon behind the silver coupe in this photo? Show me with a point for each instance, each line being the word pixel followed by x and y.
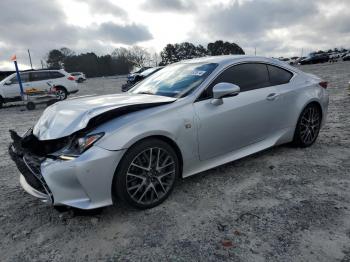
pixel 123 60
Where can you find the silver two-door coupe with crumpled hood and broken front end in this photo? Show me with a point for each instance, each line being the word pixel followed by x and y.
pixel 194 115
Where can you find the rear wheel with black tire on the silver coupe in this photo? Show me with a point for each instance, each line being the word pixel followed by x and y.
pixel 308 126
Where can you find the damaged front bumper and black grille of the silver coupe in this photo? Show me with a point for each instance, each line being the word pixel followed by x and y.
pixel 84 182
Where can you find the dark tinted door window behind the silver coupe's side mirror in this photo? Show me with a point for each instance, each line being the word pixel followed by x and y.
pixel 248 77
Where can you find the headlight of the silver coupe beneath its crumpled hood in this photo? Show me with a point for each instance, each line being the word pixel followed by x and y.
pixel 79 145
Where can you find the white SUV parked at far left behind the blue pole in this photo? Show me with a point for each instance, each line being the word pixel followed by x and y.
pixel 37 80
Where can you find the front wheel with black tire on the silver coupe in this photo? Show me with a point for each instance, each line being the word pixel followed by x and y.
pixel 140 186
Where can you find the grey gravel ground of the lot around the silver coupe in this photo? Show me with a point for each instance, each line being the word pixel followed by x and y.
pixel 283 204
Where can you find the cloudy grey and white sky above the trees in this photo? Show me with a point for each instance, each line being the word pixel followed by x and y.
pixel 274 27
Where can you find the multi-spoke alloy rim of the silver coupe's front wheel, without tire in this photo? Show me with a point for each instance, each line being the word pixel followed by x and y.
pixel 150 175
